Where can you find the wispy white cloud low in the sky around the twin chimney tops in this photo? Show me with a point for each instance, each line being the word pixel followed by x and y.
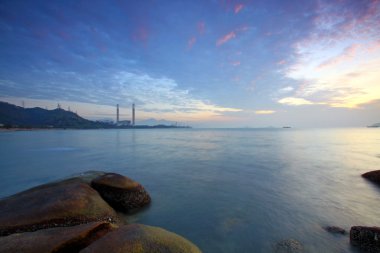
pixel 154 96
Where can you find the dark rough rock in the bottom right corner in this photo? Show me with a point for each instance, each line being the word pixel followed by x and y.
pixel 366 238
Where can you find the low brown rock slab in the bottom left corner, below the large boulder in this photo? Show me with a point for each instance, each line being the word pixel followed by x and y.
pixel 62 239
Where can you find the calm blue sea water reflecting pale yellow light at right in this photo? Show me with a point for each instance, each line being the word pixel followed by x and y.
pixel 236 190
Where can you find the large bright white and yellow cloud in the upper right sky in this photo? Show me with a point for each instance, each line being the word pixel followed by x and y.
pixel 339 62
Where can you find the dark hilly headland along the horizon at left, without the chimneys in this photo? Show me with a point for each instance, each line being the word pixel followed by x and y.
pixel 16 117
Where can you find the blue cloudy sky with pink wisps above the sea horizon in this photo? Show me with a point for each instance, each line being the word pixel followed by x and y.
pixel 205 63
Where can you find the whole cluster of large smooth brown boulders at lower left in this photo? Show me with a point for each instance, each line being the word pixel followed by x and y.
pixel 80 214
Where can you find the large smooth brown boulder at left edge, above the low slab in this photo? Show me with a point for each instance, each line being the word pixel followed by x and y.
pixel 66 203
